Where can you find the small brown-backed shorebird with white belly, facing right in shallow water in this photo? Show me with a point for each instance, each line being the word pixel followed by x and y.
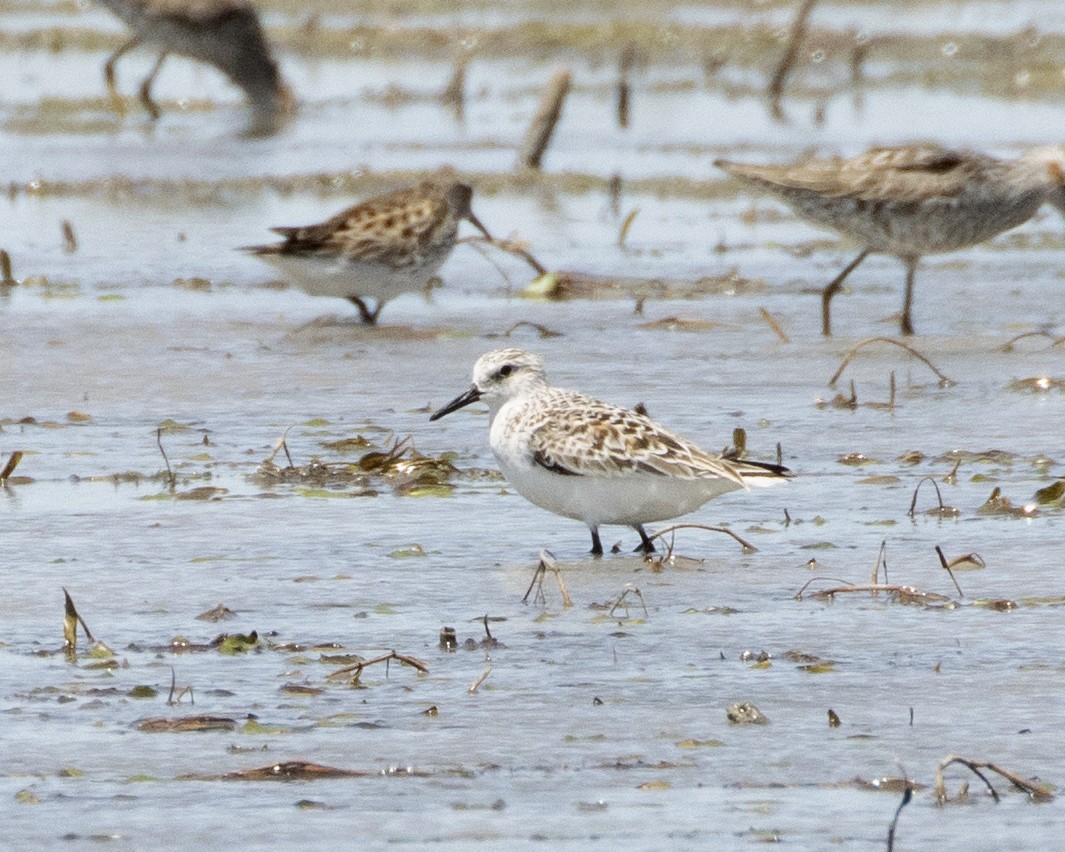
pixel 379 250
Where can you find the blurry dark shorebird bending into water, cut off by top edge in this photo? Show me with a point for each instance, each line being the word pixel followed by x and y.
pixel 224 34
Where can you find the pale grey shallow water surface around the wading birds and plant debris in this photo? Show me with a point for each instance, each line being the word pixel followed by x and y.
pixel 593 725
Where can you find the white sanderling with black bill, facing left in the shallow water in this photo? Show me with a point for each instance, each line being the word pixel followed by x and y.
pixel 594 462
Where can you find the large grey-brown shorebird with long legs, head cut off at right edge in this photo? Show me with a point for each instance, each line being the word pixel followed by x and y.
pixel 912 201
